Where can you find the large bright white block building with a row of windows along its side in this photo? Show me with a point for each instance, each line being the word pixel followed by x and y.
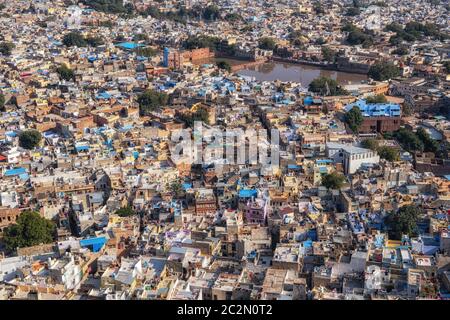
pixel 351 157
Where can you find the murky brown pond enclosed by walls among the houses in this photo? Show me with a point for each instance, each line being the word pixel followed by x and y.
pixel 304 74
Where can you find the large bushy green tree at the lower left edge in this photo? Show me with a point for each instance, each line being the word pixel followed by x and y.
pixel 30 230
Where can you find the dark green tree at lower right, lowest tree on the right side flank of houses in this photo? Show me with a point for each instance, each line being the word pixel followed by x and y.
pixel 404 221
